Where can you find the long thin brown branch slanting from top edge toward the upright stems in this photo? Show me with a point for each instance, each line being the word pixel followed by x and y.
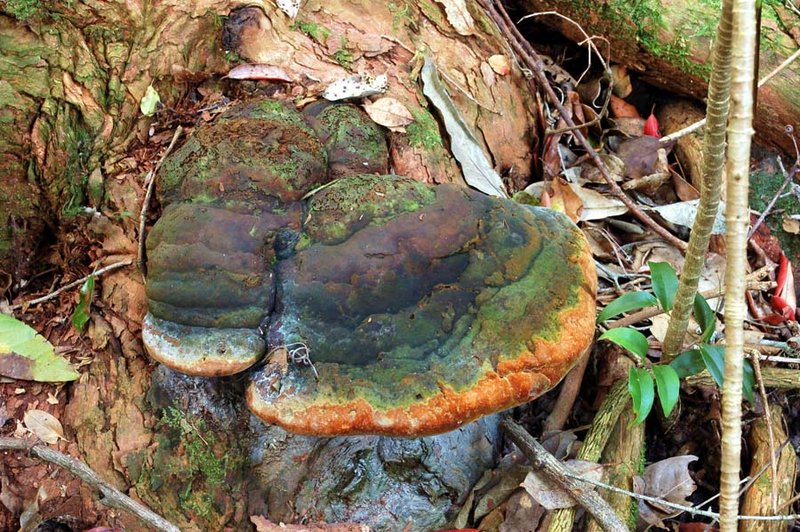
pixel 535 64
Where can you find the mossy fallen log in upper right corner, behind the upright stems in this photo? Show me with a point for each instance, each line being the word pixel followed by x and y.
pixel 668 43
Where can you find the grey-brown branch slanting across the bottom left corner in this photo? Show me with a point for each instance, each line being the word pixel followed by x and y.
pixel 112 497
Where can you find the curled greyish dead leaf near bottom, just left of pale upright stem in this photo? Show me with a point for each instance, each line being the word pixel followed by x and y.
pixel 667 479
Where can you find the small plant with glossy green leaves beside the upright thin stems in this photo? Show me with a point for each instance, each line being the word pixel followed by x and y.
pixel 647 379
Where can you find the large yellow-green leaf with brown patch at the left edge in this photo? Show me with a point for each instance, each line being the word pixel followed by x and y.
pixel 25 354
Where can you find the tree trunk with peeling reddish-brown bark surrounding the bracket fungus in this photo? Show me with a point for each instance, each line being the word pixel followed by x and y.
pixel 73 75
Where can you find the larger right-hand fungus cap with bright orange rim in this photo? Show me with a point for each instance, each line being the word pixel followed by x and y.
pixel 421 309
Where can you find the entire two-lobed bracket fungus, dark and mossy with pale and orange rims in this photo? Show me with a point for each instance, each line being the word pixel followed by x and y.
pixel 418 308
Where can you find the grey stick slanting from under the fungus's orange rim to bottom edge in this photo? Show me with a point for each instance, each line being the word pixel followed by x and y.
pixel 546 464
